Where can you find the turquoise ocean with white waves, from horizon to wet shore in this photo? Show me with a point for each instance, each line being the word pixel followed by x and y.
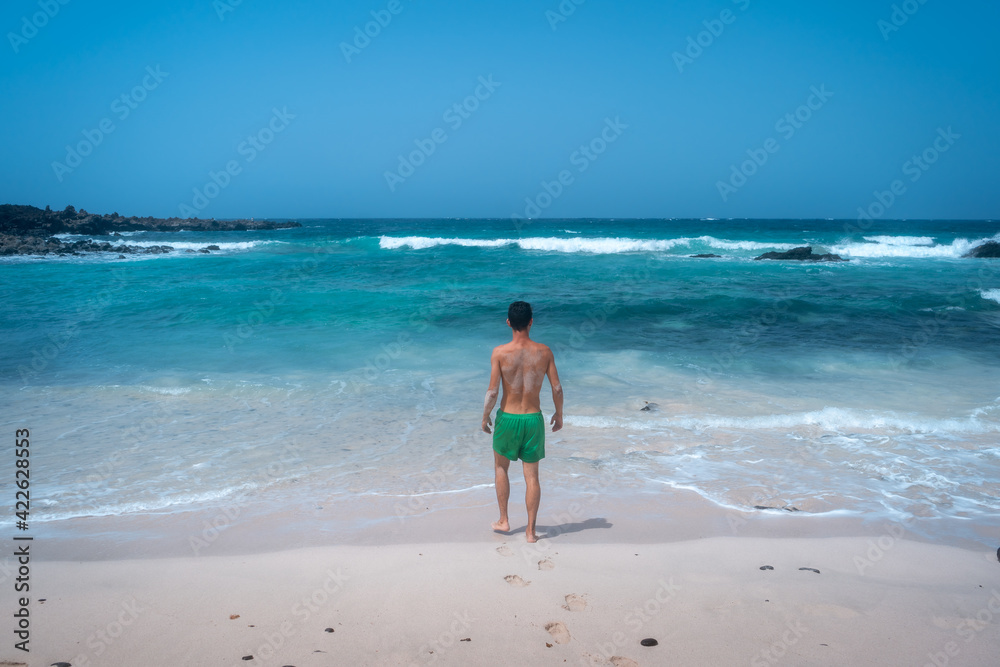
pixel 348 359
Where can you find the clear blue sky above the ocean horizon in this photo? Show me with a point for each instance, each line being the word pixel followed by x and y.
pixel 642 109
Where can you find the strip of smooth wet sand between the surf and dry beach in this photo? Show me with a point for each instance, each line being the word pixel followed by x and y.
pixel 255 528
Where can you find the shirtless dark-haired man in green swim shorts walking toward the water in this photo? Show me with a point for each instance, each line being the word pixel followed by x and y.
pixel 521 365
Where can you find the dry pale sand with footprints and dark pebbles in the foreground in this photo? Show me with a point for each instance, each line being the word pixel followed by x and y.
pixel 706 601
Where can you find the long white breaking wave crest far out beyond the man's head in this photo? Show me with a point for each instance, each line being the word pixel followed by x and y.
pixel 598 245
